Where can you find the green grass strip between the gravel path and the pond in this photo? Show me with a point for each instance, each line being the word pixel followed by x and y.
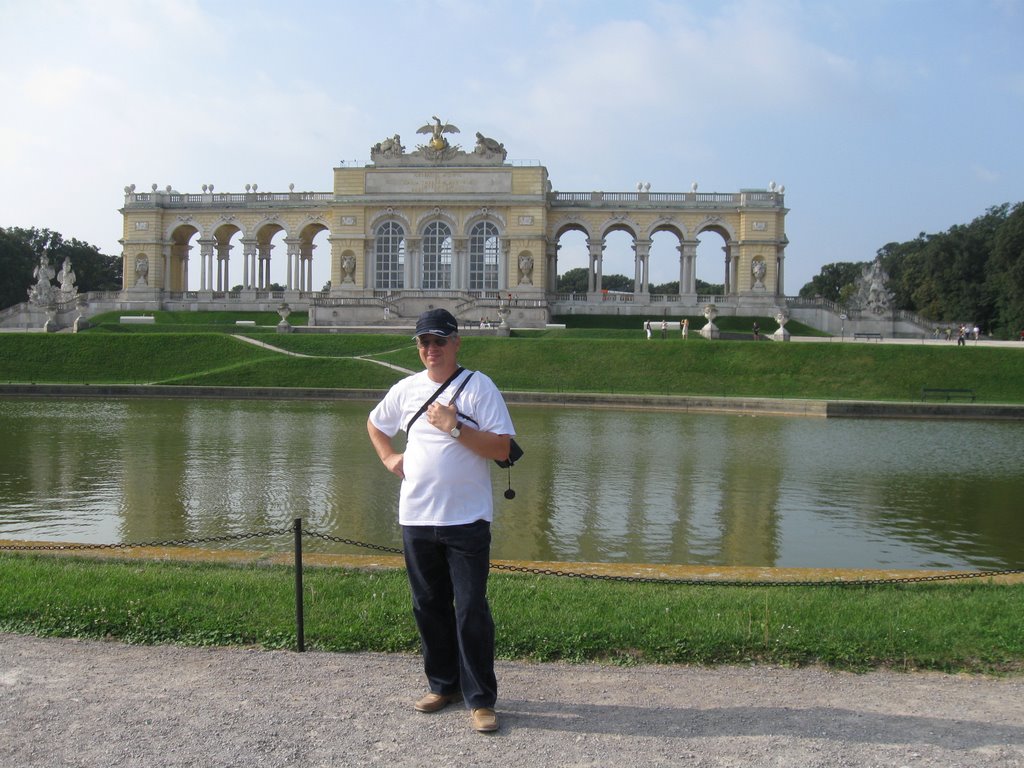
pixel 953 627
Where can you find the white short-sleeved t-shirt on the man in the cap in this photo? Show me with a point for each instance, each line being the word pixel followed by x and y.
pixel 446 483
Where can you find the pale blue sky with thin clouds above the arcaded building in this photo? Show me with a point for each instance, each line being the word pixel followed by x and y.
pixel 882 118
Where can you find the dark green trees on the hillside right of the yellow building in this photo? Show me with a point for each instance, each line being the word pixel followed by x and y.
pixel 969 274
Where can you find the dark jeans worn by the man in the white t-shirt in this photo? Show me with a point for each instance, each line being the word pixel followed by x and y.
pixel 448 573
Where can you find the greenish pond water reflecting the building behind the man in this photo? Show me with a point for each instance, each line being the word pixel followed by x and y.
pixel 596 486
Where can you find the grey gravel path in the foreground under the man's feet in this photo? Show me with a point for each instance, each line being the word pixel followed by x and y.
pixel 72 703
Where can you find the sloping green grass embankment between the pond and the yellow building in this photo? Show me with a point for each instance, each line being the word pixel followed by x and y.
pixel 605 361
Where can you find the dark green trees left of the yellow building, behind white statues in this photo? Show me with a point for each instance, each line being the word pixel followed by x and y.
pixel 22 249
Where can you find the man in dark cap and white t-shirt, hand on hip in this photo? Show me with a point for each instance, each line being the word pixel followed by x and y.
pixel 446 507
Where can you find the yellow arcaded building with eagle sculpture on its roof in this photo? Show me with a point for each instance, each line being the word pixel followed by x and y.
pixel 441 226
